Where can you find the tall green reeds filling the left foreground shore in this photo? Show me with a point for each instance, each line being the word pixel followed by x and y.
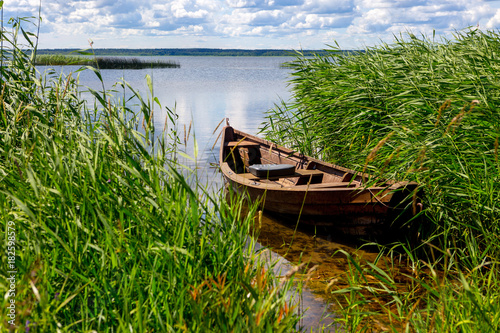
pixel 108 235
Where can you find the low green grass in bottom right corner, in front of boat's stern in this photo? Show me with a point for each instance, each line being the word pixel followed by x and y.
pixel 438 297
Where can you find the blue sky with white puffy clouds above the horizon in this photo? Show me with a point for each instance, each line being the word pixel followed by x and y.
pixel 247 24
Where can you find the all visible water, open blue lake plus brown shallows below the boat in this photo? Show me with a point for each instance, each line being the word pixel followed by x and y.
pixel 204 91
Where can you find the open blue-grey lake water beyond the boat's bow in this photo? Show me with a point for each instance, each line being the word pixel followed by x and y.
pixel 204 91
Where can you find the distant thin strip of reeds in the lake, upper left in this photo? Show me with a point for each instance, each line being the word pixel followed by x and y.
pixel 102 62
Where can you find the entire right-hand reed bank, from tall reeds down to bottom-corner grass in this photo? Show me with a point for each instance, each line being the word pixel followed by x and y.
pixel 425 110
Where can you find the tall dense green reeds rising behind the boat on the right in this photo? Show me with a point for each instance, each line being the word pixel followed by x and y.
pixel 418 110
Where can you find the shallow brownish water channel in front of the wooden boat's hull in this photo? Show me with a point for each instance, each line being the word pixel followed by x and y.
pixel 290 246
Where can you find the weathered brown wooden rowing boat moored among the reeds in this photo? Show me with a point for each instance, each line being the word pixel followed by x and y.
pixel 315 191
